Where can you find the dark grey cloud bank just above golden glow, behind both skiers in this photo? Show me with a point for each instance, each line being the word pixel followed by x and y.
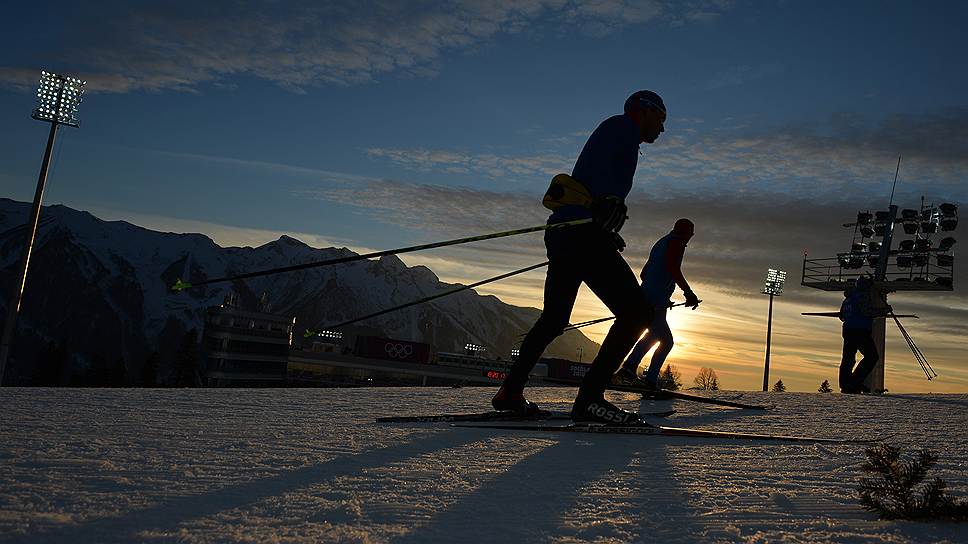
pixel 738 236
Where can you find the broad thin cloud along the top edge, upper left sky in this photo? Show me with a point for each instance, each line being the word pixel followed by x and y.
pixel 181 45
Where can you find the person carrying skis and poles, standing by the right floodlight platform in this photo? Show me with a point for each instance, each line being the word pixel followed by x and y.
pixel 858 313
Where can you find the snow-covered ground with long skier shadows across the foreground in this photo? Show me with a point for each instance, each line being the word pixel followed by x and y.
pixel 309 465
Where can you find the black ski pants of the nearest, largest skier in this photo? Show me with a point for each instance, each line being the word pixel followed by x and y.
pixel 585 254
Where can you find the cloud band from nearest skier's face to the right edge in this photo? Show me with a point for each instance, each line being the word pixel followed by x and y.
pixel 847 157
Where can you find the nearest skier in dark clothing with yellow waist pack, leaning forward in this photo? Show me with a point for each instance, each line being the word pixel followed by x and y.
pixel 589 253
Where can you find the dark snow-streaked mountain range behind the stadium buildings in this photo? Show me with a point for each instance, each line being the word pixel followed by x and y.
pixel 101 289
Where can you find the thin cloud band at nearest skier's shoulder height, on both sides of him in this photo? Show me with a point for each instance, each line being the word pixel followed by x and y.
pixel 845 157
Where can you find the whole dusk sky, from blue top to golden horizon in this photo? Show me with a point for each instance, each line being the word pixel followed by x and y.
pixel 374 125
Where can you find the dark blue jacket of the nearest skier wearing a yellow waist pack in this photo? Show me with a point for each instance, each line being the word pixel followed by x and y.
pixel 606 164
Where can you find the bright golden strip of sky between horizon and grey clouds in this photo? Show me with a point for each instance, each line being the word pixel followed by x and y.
pixel 728 334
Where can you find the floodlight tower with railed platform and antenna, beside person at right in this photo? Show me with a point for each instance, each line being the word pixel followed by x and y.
pixel 908 268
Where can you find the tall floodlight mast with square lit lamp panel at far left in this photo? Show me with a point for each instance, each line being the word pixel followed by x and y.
pixel 57 100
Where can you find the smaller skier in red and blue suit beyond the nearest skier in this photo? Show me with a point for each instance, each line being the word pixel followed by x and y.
pixel 661 274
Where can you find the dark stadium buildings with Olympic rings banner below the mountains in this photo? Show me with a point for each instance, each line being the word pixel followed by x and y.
pixel 245 348
